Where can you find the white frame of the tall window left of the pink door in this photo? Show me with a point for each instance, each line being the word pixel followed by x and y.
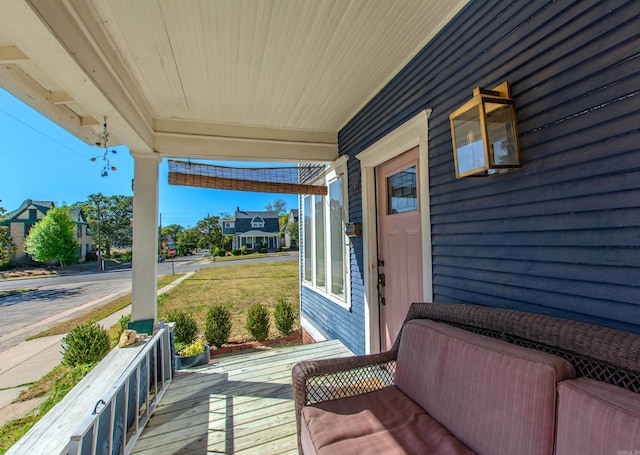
pixel 338 169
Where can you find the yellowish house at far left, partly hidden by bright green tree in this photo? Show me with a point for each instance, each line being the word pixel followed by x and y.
pixel 21 220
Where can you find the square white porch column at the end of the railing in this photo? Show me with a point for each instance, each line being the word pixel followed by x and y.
pixel 145 236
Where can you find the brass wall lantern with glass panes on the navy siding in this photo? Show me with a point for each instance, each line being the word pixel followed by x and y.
pixel 485 133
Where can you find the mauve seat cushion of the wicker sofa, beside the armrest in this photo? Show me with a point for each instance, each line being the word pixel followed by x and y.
pixel 384 421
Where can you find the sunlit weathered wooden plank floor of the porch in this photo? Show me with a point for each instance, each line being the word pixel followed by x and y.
pixel 238 404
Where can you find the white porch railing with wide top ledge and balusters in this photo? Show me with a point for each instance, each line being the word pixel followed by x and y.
pixel 125 387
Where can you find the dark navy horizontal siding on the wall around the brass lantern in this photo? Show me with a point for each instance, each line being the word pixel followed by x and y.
pixel 562 235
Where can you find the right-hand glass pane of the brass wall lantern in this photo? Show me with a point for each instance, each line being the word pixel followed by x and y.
pixel 501 132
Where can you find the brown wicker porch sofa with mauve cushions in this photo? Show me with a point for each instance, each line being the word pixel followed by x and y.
pixel 466 379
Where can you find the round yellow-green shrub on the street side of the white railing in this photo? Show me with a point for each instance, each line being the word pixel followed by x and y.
pixel 87 344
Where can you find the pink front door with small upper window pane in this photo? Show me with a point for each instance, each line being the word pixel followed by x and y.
pixel 399 241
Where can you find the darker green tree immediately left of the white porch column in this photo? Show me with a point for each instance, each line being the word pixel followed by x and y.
pixel 110 217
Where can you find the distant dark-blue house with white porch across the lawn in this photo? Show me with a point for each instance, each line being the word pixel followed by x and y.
pixel 253 229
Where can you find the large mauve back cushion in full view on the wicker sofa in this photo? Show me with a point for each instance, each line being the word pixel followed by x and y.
pixel 494 396
